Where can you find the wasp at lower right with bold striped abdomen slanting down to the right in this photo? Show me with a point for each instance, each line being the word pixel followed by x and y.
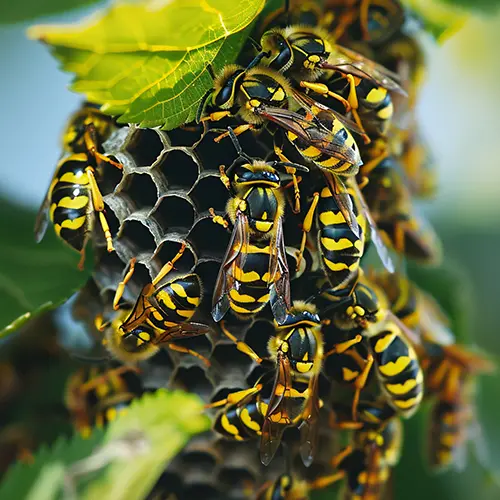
pixel 386 339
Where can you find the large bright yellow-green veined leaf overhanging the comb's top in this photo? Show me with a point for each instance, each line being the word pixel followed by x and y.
pixel 148 62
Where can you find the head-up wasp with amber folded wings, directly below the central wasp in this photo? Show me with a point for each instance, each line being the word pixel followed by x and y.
pixel 297 351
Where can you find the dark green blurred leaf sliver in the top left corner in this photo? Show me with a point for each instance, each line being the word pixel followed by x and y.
pixel 25 10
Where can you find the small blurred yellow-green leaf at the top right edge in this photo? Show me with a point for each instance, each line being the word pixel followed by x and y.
pixel 441 19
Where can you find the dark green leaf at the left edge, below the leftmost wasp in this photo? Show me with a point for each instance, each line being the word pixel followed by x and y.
pixel 33 278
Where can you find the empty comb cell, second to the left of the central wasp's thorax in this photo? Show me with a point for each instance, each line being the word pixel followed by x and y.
pixel 174 213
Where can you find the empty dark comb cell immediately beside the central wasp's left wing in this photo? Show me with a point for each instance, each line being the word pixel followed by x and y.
pixel 210 240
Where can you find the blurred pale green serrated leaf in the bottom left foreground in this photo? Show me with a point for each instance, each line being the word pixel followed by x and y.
pixel 147 436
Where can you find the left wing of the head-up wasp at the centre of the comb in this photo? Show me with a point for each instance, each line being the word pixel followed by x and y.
pixel 235 255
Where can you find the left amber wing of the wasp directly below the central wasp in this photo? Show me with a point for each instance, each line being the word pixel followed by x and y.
pixel 278 415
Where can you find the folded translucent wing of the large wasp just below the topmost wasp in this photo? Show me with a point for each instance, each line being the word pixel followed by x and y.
pixel 311 132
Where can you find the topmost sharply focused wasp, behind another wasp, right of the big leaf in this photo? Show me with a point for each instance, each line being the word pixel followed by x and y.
pixel 332 71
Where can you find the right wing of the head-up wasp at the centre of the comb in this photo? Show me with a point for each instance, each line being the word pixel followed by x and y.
pixel 280 289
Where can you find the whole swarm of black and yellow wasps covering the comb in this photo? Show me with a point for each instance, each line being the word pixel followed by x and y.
pixel 328 95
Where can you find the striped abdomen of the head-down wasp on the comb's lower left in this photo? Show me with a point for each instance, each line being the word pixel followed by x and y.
pixel 176 301
